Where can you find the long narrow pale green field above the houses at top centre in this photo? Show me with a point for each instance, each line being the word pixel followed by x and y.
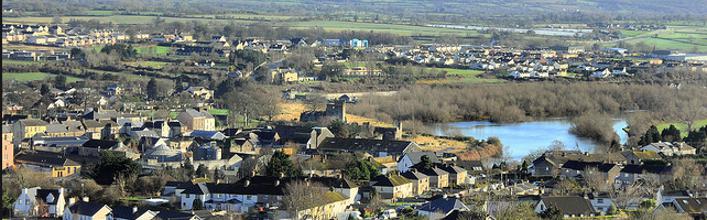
pixel 408 30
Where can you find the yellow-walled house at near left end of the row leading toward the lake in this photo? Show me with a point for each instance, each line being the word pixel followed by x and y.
pixel 392 187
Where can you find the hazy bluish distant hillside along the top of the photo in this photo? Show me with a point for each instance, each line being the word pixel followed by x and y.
pixel 405 10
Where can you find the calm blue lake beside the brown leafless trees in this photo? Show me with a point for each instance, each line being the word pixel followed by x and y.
pixel 525 137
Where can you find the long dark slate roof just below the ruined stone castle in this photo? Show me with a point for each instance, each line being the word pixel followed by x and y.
pixel 367 145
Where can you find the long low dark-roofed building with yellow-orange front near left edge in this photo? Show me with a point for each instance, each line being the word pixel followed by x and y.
pixel 55 165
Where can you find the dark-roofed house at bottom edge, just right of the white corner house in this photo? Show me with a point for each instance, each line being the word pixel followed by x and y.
pixel 85 210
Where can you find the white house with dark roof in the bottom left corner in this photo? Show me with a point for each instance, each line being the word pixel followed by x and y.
pixel 38 202
